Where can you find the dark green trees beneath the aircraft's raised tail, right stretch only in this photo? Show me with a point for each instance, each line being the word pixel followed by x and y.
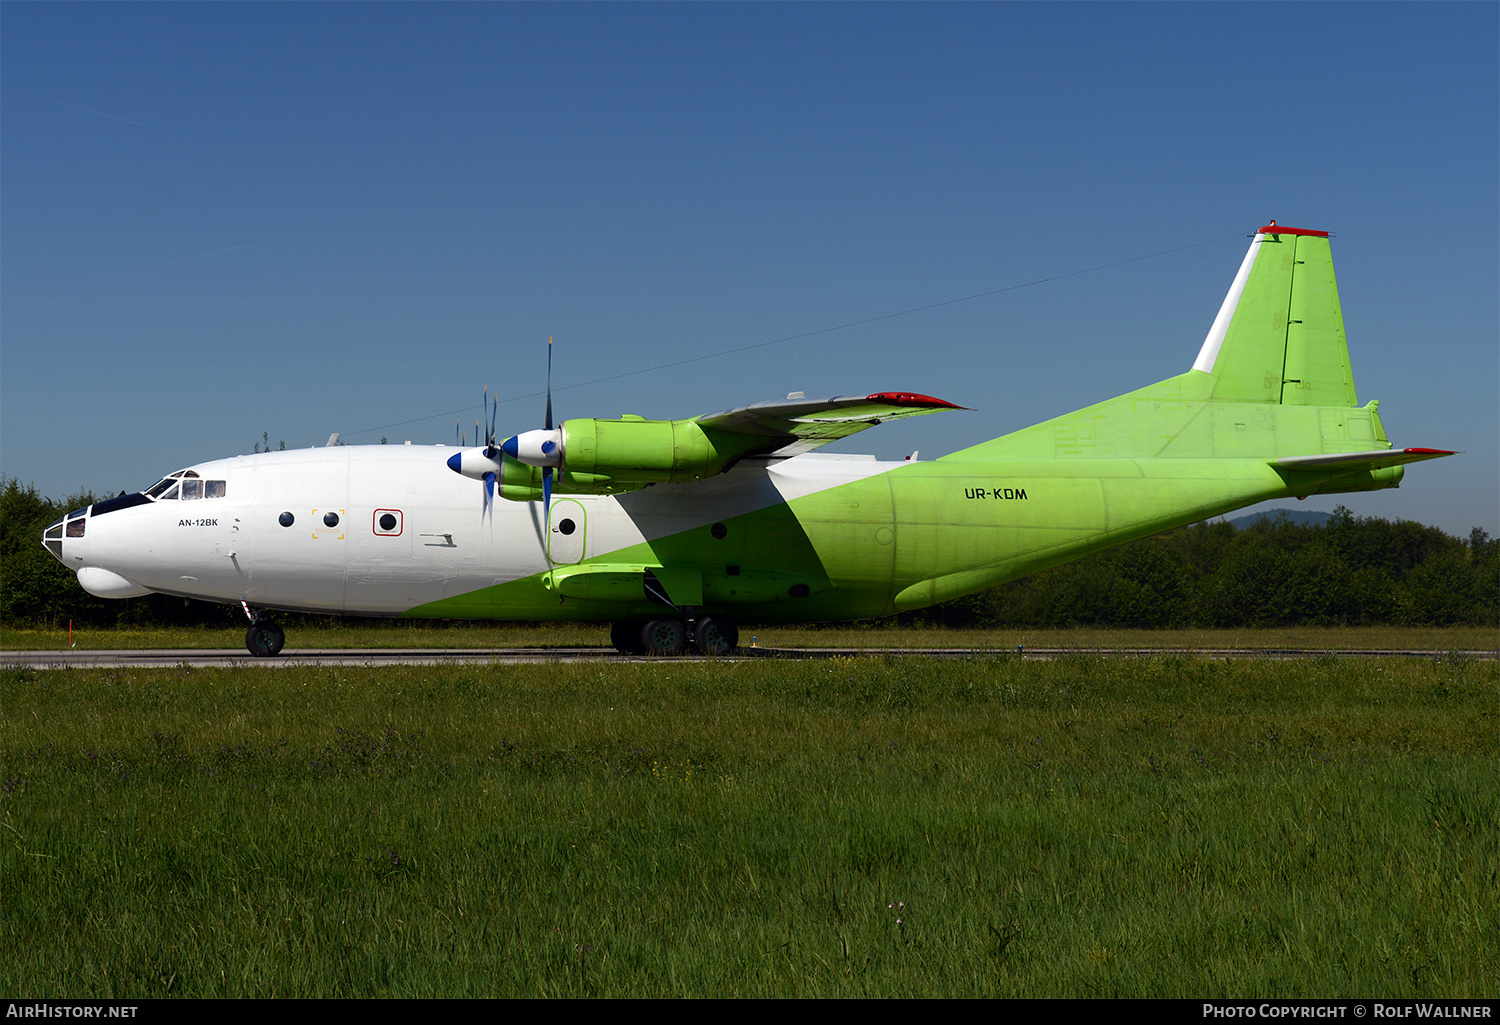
pixel 1354 571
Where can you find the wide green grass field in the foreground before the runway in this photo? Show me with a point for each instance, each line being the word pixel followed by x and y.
pixel 845 828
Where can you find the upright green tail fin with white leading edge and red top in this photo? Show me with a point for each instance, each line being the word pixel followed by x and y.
pixel 1280 334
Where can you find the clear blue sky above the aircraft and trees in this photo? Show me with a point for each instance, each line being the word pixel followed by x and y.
pixel 227 220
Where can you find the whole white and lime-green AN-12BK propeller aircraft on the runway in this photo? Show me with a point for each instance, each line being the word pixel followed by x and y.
pixel 676 529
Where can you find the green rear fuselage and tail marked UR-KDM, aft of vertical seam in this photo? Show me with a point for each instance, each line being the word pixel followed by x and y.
pixel 1267 412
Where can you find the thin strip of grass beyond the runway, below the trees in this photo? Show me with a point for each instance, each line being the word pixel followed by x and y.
pixel 382 634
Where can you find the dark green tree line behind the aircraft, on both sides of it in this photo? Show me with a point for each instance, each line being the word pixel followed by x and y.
pixel 1352 571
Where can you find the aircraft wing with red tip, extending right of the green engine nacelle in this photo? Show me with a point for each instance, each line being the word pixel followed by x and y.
pixel 796 425
